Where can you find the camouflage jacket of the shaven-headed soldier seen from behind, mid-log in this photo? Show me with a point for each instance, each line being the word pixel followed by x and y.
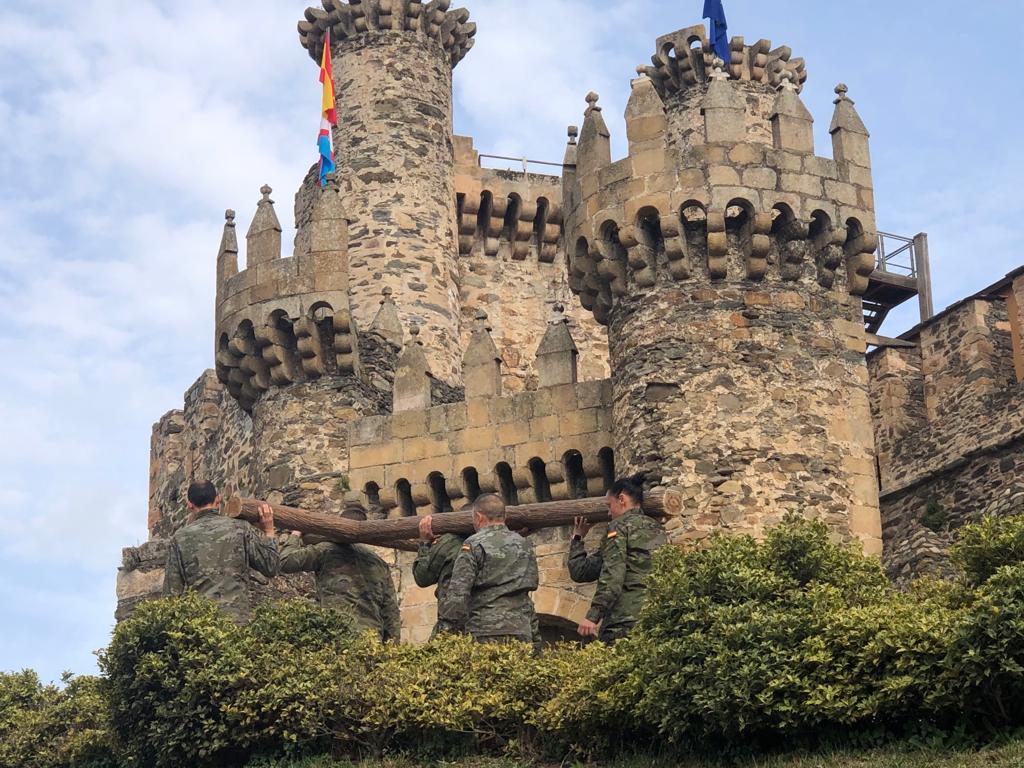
pixel 489 594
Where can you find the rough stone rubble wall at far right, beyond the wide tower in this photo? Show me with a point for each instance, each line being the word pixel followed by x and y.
pixel 950 425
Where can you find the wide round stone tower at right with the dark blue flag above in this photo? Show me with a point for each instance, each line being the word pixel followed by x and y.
pixel 728 262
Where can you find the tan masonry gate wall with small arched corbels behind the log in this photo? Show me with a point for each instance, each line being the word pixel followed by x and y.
pixel 552 444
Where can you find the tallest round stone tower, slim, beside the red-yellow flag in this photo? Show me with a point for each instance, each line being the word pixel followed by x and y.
pixel 394 149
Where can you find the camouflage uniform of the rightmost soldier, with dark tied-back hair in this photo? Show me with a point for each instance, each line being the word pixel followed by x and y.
pixel 620 568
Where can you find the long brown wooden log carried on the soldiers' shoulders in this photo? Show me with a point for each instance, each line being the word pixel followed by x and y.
pixel 391 532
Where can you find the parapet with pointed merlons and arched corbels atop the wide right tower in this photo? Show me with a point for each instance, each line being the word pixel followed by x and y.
pixel 714 190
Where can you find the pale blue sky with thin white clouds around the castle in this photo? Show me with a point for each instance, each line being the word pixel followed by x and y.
pixel 126 130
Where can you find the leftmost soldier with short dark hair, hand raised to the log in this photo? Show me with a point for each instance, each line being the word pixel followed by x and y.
pixel 212 554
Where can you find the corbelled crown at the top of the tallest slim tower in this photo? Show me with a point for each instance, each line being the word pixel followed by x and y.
pixel 431 21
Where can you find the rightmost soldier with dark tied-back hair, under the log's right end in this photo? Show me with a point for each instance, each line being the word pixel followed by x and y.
pixel 621 566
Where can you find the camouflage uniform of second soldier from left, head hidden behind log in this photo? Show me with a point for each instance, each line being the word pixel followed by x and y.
pixel 351 579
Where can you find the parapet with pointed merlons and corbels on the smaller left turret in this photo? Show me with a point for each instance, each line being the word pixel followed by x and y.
pixel 284 321
